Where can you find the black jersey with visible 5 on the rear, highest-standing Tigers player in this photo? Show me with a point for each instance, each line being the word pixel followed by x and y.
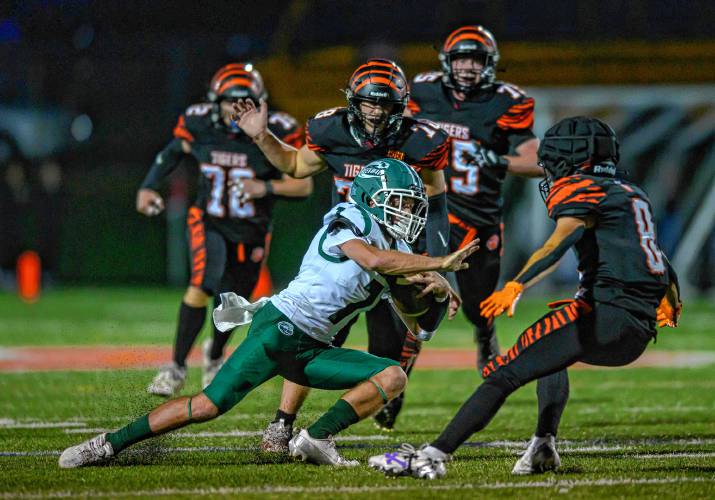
pixel 499 118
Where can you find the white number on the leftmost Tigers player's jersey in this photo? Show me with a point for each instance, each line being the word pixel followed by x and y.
pixel 217 175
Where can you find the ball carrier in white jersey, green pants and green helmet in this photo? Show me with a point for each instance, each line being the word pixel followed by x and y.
pixel 341 275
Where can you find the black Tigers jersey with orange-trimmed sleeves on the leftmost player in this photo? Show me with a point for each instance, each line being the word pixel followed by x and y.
pixel 223 157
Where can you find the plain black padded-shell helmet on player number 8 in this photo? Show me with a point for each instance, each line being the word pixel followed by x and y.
pixel 577 144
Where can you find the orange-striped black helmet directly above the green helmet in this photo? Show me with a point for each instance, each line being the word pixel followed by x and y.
pixel 379 81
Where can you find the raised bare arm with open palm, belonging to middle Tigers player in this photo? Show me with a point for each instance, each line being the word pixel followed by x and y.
pixel 289 160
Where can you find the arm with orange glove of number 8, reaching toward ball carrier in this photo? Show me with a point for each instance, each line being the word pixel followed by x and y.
pixel 542 262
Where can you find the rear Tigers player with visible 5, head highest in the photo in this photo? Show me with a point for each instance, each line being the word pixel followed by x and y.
pixel 489 123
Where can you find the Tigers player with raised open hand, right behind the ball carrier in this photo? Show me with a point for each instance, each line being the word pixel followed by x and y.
pixel 343 140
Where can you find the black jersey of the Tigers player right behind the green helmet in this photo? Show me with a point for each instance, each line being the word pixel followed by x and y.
pixel 417 144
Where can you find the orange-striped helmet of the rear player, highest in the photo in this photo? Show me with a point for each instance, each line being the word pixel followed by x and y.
pixel 470 41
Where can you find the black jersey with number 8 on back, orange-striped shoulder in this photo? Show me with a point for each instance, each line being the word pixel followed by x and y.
pixel 620 262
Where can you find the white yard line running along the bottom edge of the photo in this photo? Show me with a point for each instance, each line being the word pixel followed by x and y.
pixel 560 485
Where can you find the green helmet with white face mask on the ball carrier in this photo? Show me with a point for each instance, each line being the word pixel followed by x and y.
pixel 393 194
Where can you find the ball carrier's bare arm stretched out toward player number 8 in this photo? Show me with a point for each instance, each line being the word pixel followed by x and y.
pixel 394 262
